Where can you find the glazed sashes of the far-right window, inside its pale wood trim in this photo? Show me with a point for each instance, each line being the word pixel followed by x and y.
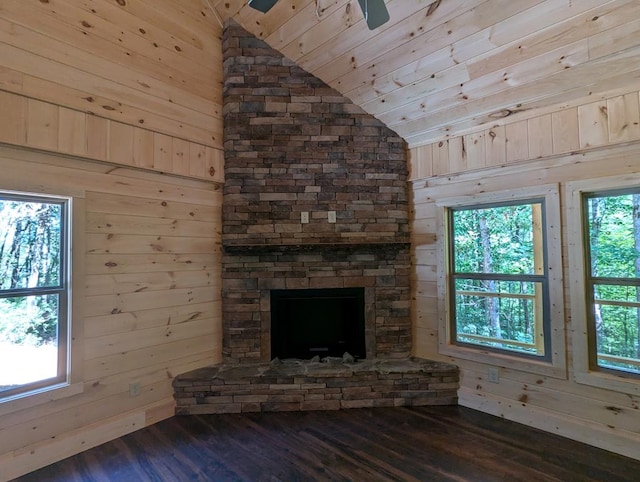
pixel 612 242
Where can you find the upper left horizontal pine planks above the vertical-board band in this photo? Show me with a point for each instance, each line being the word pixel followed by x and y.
pixel 150 63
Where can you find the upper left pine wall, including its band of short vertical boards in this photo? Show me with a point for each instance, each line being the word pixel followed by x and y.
pixel 137 82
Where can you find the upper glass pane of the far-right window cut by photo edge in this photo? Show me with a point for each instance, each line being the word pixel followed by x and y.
pixel 612 235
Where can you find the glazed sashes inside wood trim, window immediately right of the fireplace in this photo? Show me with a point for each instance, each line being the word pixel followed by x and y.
pixel 498 277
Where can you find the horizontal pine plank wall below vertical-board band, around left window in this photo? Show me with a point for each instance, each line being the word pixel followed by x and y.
pixel 146 302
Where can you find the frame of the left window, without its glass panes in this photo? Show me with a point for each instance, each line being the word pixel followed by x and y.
pixel 62 289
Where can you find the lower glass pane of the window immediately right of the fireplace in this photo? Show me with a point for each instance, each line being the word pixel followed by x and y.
pixel 499 314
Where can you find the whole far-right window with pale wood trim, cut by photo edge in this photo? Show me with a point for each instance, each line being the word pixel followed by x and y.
pixel 601 235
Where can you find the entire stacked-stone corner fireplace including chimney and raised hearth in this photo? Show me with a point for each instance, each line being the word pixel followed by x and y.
pixel 314 203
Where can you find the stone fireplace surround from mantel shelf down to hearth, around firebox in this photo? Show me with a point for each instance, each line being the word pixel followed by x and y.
pixel 381 271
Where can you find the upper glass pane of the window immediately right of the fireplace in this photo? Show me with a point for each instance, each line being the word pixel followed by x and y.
pixel 495 239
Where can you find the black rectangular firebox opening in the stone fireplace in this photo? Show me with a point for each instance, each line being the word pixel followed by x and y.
pixel 317 322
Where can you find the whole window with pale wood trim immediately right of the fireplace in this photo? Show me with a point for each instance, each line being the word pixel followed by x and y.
pixel 500 278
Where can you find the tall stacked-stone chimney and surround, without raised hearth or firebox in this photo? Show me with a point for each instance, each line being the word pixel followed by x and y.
pixel 315 198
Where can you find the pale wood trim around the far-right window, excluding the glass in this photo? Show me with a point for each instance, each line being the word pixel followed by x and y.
pixel 586 369
